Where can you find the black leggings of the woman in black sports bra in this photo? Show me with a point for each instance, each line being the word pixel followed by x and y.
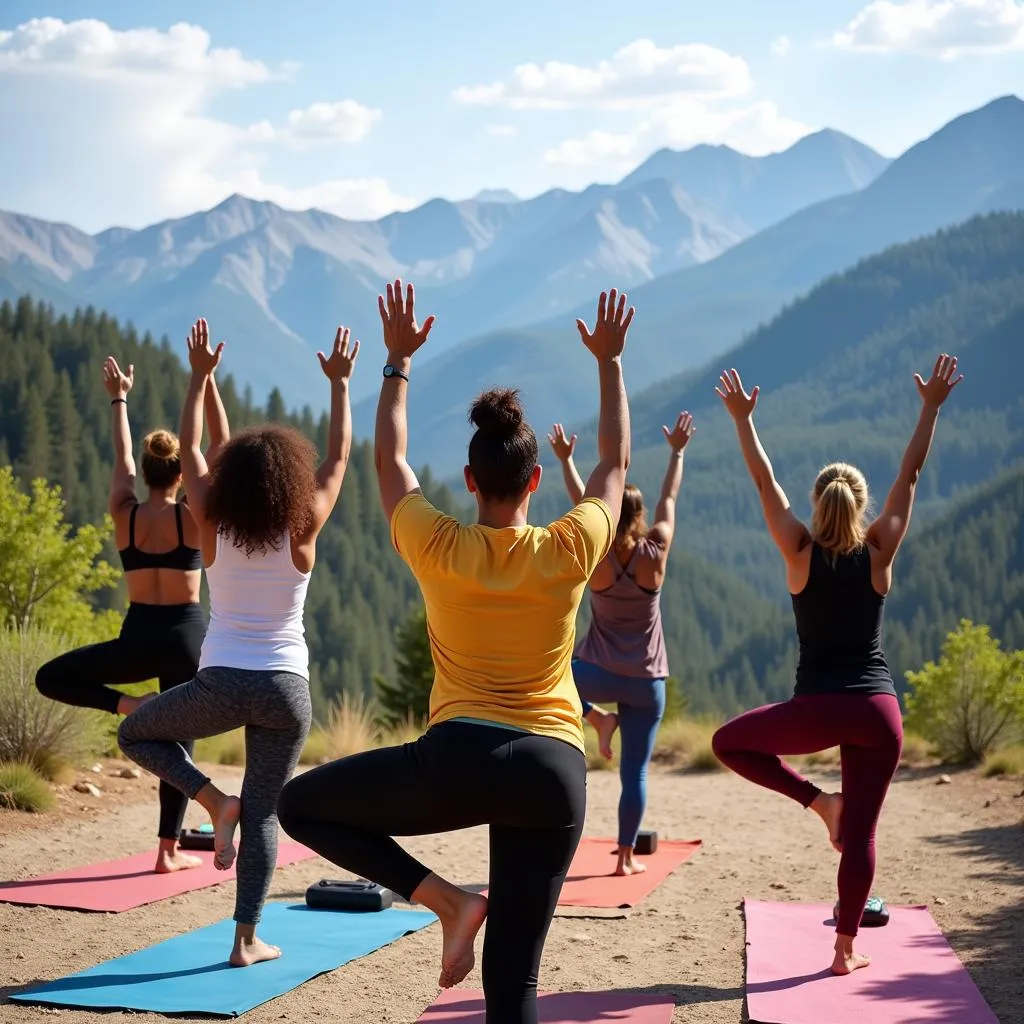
pixel 157 642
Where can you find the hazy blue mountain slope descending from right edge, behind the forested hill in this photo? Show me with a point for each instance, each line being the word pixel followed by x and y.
pixel 973 165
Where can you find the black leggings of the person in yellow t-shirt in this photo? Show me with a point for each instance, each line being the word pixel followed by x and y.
pixel 532 791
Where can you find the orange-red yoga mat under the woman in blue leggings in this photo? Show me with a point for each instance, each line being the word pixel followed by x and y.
pixel 590 882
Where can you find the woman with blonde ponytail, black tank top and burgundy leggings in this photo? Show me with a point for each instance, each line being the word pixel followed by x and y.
pixel 839 573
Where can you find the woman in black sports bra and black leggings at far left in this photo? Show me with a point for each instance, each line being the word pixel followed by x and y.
pixel 163 630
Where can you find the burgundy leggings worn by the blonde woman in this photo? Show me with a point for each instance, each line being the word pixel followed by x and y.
pixel 869 732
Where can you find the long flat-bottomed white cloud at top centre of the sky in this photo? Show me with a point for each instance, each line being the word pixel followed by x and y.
pixel 634 77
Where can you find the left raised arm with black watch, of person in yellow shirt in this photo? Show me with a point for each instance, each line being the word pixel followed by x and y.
pixel 403 337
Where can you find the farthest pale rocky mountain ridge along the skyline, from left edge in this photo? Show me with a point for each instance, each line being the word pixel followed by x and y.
pixel 275 282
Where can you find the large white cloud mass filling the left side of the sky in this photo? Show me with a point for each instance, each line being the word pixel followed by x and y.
pixel 114 127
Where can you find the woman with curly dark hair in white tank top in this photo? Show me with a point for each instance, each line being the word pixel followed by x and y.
pixel 260 508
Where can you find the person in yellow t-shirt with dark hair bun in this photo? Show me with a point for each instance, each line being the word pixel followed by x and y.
pixel 504 743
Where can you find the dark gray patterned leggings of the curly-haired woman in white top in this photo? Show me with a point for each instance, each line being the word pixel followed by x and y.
pixel 276 710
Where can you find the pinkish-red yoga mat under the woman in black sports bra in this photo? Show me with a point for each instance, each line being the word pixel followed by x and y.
pixel 121 885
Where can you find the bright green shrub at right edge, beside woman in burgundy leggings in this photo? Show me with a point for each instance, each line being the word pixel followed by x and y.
pixel 972 701
